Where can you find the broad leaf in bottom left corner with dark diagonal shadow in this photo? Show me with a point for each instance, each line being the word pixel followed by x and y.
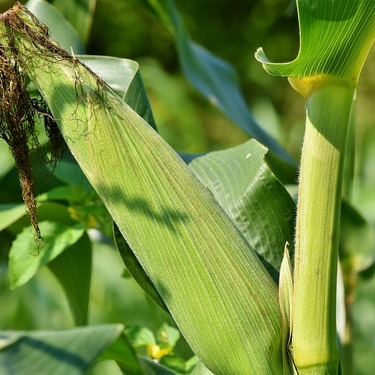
pixel 70 351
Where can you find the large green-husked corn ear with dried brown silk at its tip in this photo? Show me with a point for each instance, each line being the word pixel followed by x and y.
pixel 193 254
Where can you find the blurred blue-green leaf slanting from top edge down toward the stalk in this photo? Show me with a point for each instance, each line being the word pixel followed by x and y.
pixel 213 77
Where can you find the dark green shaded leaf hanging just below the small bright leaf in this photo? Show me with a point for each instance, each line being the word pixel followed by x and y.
pixel 73 270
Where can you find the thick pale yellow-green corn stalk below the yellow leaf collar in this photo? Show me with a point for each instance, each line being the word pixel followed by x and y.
pixel 314 340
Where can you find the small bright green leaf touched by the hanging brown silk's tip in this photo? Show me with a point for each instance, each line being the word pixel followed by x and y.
pixel 25 259
